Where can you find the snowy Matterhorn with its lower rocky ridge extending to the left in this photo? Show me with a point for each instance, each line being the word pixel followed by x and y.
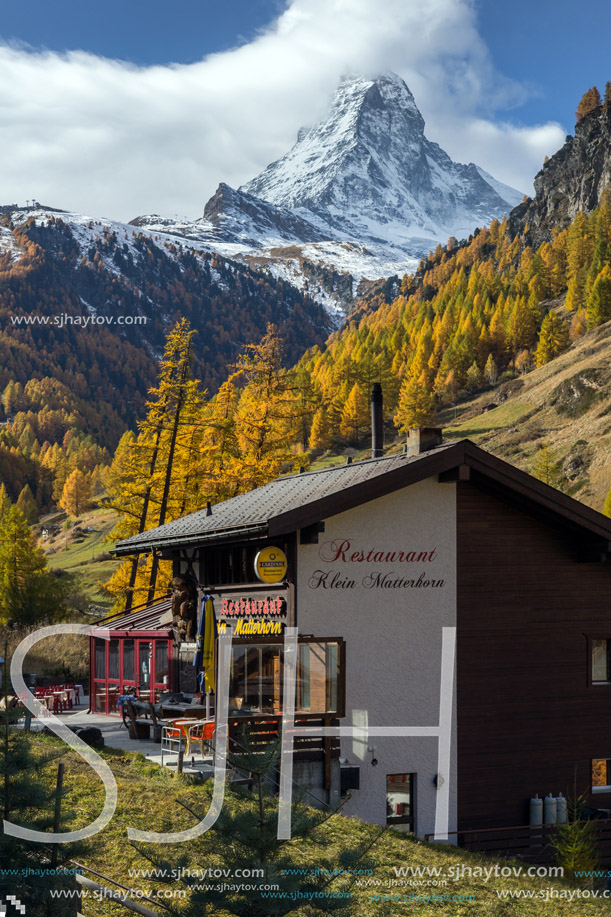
pixel 361 195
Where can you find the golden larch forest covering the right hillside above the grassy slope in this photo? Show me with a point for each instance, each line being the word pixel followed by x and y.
pixel 474 314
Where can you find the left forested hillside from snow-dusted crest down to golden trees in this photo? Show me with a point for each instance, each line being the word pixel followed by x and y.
pixel 84 315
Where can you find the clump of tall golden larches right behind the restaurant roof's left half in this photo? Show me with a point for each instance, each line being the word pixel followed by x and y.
pixel 189 450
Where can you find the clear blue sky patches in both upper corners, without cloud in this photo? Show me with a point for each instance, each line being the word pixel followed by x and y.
pixel 558 48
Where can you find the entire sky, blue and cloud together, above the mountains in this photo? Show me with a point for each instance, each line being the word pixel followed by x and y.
pixel 168 100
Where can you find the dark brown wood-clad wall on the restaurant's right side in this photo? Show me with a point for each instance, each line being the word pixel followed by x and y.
pixel 530 596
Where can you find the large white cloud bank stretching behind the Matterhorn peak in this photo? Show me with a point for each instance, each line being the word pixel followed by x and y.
pixel 111 139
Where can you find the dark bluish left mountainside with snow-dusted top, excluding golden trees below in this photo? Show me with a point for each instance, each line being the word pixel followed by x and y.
pixel 90 302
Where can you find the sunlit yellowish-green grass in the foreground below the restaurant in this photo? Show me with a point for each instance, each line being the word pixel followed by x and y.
pixel 150 798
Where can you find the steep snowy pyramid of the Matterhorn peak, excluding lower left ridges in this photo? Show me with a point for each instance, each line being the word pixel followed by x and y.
pixel 368 173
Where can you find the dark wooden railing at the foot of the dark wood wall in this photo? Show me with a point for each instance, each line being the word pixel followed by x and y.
pixel 525 842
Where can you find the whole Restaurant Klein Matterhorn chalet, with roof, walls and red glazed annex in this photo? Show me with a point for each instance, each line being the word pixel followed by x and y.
pixel 393 563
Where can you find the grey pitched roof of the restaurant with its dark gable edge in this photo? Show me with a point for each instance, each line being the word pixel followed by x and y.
pixel 299 500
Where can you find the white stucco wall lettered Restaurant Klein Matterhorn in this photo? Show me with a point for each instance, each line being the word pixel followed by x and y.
pixel 393 635
